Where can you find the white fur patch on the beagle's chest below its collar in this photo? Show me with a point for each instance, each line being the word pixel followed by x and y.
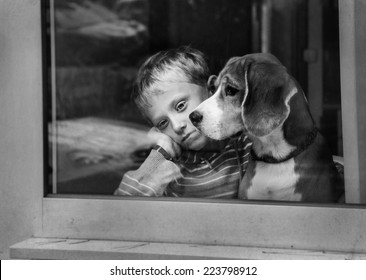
pixel 274 182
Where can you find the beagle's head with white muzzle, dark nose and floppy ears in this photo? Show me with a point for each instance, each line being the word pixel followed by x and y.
pixel 252 93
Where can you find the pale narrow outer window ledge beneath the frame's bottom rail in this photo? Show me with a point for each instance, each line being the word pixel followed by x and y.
pixel 53 248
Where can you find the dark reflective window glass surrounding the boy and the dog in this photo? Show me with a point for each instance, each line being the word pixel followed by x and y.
pixel 95 47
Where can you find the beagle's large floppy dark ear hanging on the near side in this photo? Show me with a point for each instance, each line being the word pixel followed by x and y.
pixel 264 104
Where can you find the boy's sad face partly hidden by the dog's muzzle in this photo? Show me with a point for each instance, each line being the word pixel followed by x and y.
pixel 170 113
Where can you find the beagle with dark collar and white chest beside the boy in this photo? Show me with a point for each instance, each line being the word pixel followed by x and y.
pixel 289 158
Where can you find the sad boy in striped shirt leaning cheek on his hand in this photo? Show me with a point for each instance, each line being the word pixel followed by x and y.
pixel 184 162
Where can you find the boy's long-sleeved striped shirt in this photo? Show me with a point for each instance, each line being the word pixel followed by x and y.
pixel 213 174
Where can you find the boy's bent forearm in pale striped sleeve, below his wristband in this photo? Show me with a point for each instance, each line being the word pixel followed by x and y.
pixel 152 177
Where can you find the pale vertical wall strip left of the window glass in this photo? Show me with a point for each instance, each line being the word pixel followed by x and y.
pixel 20 119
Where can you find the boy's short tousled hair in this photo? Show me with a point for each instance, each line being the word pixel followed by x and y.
pixel 183 64
